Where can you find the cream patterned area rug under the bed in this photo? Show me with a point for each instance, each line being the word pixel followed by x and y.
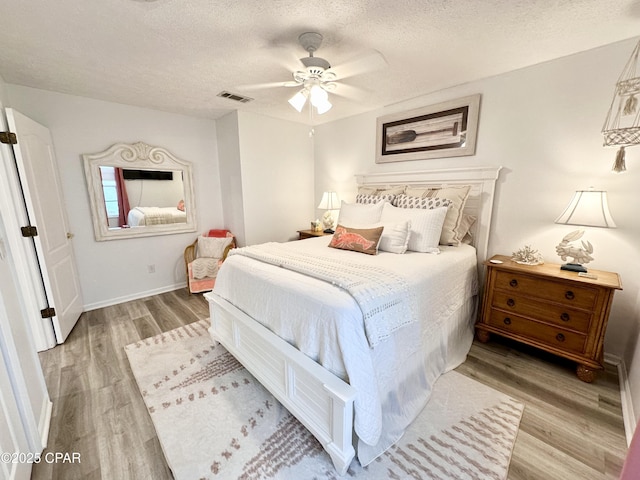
pixel 215 421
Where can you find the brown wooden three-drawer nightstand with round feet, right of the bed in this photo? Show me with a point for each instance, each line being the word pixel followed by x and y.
pixel 551 309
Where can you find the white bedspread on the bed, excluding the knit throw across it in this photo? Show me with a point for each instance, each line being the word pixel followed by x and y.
pixel 393 380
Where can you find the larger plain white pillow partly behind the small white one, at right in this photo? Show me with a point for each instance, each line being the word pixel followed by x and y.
pixel 425 225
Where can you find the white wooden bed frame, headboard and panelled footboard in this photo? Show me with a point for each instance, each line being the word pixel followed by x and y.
pixel 322 402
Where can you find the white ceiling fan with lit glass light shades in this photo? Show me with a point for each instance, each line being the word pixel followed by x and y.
pixel 318 77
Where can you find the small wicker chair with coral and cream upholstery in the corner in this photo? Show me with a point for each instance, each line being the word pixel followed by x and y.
pixel 203 259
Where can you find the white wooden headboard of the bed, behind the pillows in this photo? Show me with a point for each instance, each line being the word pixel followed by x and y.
pixel 479 203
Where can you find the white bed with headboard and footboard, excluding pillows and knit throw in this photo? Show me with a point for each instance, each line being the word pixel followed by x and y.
pixel 373 388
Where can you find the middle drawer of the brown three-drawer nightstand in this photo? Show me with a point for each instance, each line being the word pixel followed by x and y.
pixel 572 319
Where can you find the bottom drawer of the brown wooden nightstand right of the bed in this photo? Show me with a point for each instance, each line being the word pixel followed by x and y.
pixel 556 337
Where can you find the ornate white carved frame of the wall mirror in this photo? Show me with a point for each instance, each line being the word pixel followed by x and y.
pixel 138 156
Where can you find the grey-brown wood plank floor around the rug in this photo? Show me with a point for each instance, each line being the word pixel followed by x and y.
pixel 569 430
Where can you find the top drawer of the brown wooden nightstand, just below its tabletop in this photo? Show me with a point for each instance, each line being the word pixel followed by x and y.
pixel 574 295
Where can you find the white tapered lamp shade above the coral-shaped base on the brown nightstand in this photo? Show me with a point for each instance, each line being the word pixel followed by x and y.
pixel 588 208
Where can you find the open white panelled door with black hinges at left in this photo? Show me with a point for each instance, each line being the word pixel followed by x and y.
pixel 44 200
